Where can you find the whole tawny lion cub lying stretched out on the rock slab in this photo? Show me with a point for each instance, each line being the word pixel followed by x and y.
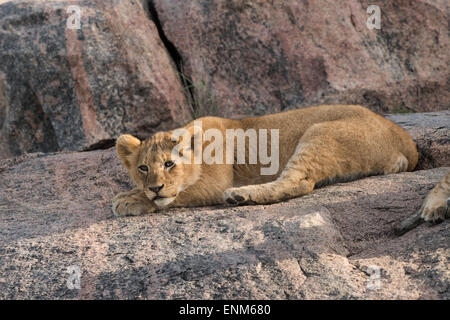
pixel 227 161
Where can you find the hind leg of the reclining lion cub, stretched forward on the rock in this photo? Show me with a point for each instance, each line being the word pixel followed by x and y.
pixel 327 151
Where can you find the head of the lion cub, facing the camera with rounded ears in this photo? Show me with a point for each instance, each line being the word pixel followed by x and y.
pixel 153 167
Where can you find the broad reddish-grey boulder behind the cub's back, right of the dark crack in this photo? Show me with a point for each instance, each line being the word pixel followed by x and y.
pixel 260 56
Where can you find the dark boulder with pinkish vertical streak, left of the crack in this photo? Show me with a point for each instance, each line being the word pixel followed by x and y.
pixel 70 89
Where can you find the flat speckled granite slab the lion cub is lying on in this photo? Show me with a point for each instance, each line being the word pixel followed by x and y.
pixel 336 243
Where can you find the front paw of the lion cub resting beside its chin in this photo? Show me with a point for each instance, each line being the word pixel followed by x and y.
pixel 132 203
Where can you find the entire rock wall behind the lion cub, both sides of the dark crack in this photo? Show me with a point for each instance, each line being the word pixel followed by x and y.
pixel 71 89
